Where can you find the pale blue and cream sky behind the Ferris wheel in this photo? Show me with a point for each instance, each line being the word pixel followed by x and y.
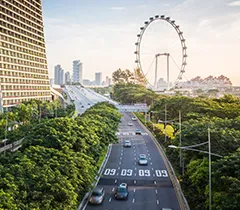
pixel 102 34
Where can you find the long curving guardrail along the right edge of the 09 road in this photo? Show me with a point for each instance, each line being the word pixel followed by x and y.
pixel 180 196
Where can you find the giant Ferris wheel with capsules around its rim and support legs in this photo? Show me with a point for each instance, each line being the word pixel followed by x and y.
pixel 181 67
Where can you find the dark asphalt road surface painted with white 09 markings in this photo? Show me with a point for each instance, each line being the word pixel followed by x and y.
pixel 150 187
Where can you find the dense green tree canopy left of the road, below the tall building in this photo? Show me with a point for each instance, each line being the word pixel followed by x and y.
pixel 58 160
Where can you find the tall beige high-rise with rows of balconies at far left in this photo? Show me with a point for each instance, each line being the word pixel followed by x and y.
pixel 23 64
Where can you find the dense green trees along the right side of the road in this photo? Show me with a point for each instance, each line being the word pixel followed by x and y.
pixel 221 116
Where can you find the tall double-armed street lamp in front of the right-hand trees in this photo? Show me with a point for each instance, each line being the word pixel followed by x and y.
pixel 191 147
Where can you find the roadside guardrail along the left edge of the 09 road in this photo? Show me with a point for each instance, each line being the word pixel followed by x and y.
pixel 85 199
